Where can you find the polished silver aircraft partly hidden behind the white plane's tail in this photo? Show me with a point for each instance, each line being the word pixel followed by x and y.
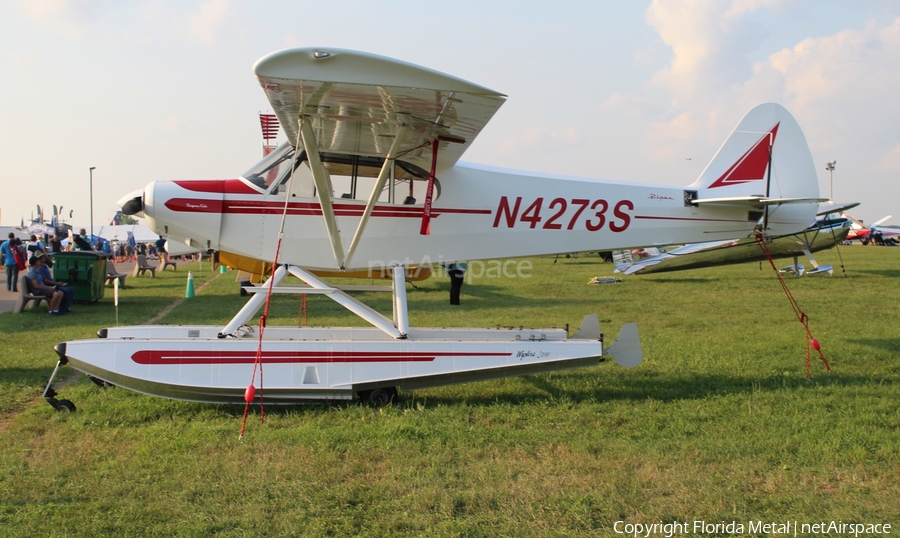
pixel 825 233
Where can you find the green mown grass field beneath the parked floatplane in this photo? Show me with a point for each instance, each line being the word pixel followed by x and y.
pixel 718 424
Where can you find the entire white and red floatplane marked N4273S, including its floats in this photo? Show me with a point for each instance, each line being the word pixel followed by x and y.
pixel 394 132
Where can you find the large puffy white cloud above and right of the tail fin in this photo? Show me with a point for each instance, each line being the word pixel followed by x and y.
pixel 841 87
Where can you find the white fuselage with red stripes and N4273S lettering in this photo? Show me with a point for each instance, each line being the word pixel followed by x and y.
pixel 481 213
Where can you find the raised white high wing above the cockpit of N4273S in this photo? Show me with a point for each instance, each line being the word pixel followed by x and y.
pixel 357 103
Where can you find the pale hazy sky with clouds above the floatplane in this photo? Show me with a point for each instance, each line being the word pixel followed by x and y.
pixel 147 90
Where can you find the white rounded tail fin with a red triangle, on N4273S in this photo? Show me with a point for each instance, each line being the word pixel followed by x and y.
pixel 767 157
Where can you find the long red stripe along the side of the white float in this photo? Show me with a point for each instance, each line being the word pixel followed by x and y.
pixel 182 357
